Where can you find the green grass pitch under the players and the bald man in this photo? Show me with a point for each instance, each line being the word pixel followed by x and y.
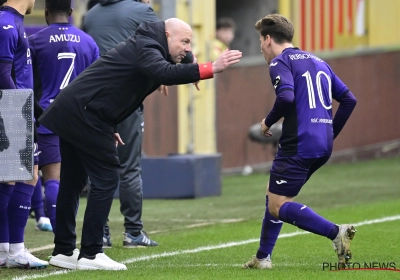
pixel 210 238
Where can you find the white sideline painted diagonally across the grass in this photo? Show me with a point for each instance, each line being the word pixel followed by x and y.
pixel 207 248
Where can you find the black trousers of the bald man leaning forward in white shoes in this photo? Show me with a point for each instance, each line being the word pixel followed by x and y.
pixel 76 166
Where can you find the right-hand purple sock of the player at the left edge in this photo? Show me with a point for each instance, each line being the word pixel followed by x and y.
pixel 18 211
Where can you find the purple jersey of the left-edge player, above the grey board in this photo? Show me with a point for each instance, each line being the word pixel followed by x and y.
pixel 14 47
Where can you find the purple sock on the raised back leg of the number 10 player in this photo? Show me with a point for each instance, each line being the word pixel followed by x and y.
pixel 305 218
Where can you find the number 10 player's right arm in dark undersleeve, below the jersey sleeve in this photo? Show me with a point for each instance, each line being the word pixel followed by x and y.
pixel 347 102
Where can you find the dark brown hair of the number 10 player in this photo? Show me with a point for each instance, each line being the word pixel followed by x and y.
pixel 277 26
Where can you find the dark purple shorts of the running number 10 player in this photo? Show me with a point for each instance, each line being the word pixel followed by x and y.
pixel 289 174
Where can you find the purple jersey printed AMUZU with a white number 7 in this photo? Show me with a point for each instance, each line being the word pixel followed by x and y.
pixel 60 53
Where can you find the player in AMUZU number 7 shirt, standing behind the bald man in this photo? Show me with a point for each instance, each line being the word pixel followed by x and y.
pixel 60 52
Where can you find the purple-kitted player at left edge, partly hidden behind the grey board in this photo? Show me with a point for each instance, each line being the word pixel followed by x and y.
pixel 15 198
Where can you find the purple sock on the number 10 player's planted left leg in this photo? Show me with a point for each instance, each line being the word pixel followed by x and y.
pixel 269 233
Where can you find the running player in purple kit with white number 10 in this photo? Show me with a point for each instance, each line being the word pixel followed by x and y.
pixel 304 86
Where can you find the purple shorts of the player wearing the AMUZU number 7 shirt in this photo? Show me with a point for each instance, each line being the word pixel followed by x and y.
pixel 49 146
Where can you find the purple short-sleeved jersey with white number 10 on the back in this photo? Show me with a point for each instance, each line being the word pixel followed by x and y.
pixel 307 128
